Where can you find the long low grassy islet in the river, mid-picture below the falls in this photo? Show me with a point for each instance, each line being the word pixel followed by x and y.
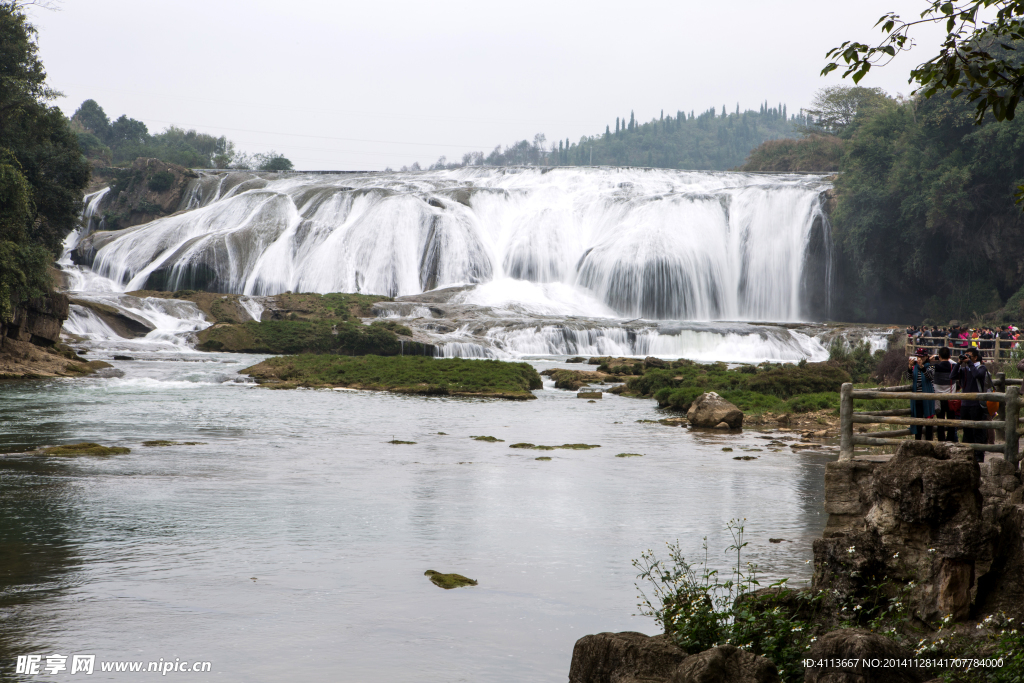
pixel 420 375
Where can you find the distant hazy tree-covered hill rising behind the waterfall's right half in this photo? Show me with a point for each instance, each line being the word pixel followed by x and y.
pixel 714 140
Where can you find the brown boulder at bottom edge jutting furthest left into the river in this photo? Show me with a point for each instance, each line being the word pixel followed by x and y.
pixel 624 658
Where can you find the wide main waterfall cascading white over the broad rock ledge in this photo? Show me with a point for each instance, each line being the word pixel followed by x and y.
pixel 627 243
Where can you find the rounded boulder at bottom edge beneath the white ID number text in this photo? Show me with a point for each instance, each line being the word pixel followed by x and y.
pixel 857 646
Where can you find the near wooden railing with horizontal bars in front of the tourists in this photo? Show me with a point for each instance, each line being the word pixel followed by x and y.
pixel 1009 417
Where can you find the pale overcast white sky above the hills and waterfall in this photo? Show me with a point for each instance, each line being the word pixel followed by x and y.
pixel 366 86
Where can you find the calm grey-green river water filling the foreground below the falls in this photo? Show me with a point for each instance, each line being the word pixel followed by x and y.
pixel 291 545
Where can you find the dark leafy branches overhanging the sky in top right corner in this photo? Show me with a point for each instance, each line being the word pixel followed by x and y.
pixel 976 60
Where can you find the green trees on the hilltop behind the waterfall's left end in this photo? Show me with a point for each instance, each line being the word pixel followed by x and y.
pixel 121 142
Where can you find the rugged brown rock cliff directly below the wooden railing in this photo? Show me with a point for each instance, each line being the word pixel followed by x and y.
pixel 930 519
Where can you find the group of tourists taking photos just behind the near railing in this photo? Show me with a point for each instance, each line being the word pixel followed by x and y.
pixel 945 373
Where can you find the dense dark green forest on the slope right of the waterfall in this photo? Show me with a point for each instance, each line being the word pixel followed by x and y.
pixel 926 222
